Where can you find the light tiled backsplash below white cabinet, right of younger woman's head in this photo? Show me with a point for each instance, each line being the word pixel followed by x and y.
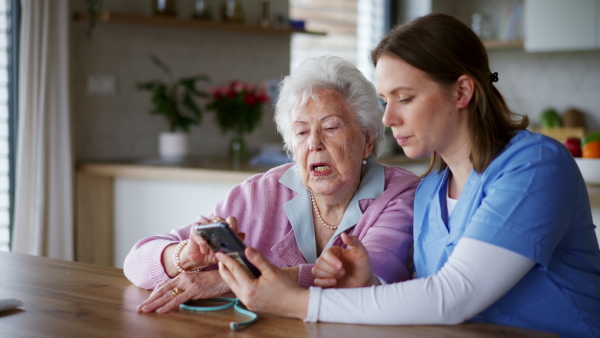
pixel 532 82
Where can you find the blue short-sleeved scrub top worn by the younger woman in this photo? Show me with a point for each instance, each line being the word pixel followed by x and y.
pixel 531 200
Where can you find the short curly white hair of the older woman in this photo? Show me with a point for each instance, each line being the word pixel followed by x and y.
pixel 341 76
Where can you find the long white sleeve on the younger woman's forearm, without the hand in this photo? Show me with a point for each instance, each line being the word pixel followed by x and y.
pixel 466 285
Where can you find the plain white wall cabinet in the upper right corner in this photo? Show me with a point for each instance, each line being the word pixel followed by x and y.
pixel 561 25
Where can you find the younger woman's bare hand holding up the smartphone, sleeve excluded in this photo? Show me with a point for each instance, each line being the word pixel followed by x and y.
pixel 273 292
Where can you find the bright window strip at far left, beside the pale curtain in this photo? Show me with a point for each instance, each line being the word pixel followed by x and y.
pixel 8 49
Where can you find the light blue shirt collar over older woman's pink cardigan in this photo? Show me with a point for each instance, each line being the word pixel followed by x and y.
pixel 299 208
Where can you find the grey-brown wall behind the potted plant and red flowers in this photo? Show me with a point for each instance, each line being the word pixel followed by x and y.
pixel 119 126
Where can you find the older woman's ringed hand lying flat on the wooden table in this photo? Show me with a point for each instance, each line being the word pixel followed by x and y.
pixel 202 285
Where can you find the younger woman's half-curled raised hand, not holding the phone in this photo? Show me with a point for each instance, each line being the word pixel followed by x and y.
pixel 344 268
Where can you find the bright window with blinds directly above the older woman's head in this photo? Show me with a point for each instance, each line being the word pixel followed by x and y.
pixel 353 27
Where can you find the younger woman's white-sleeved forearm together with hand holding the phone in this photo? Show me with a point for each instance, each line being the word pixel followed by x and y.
pixel 465 286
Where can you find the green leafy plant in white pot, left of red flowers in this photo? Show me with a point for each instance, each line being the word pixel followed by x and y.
pixel 175 100
